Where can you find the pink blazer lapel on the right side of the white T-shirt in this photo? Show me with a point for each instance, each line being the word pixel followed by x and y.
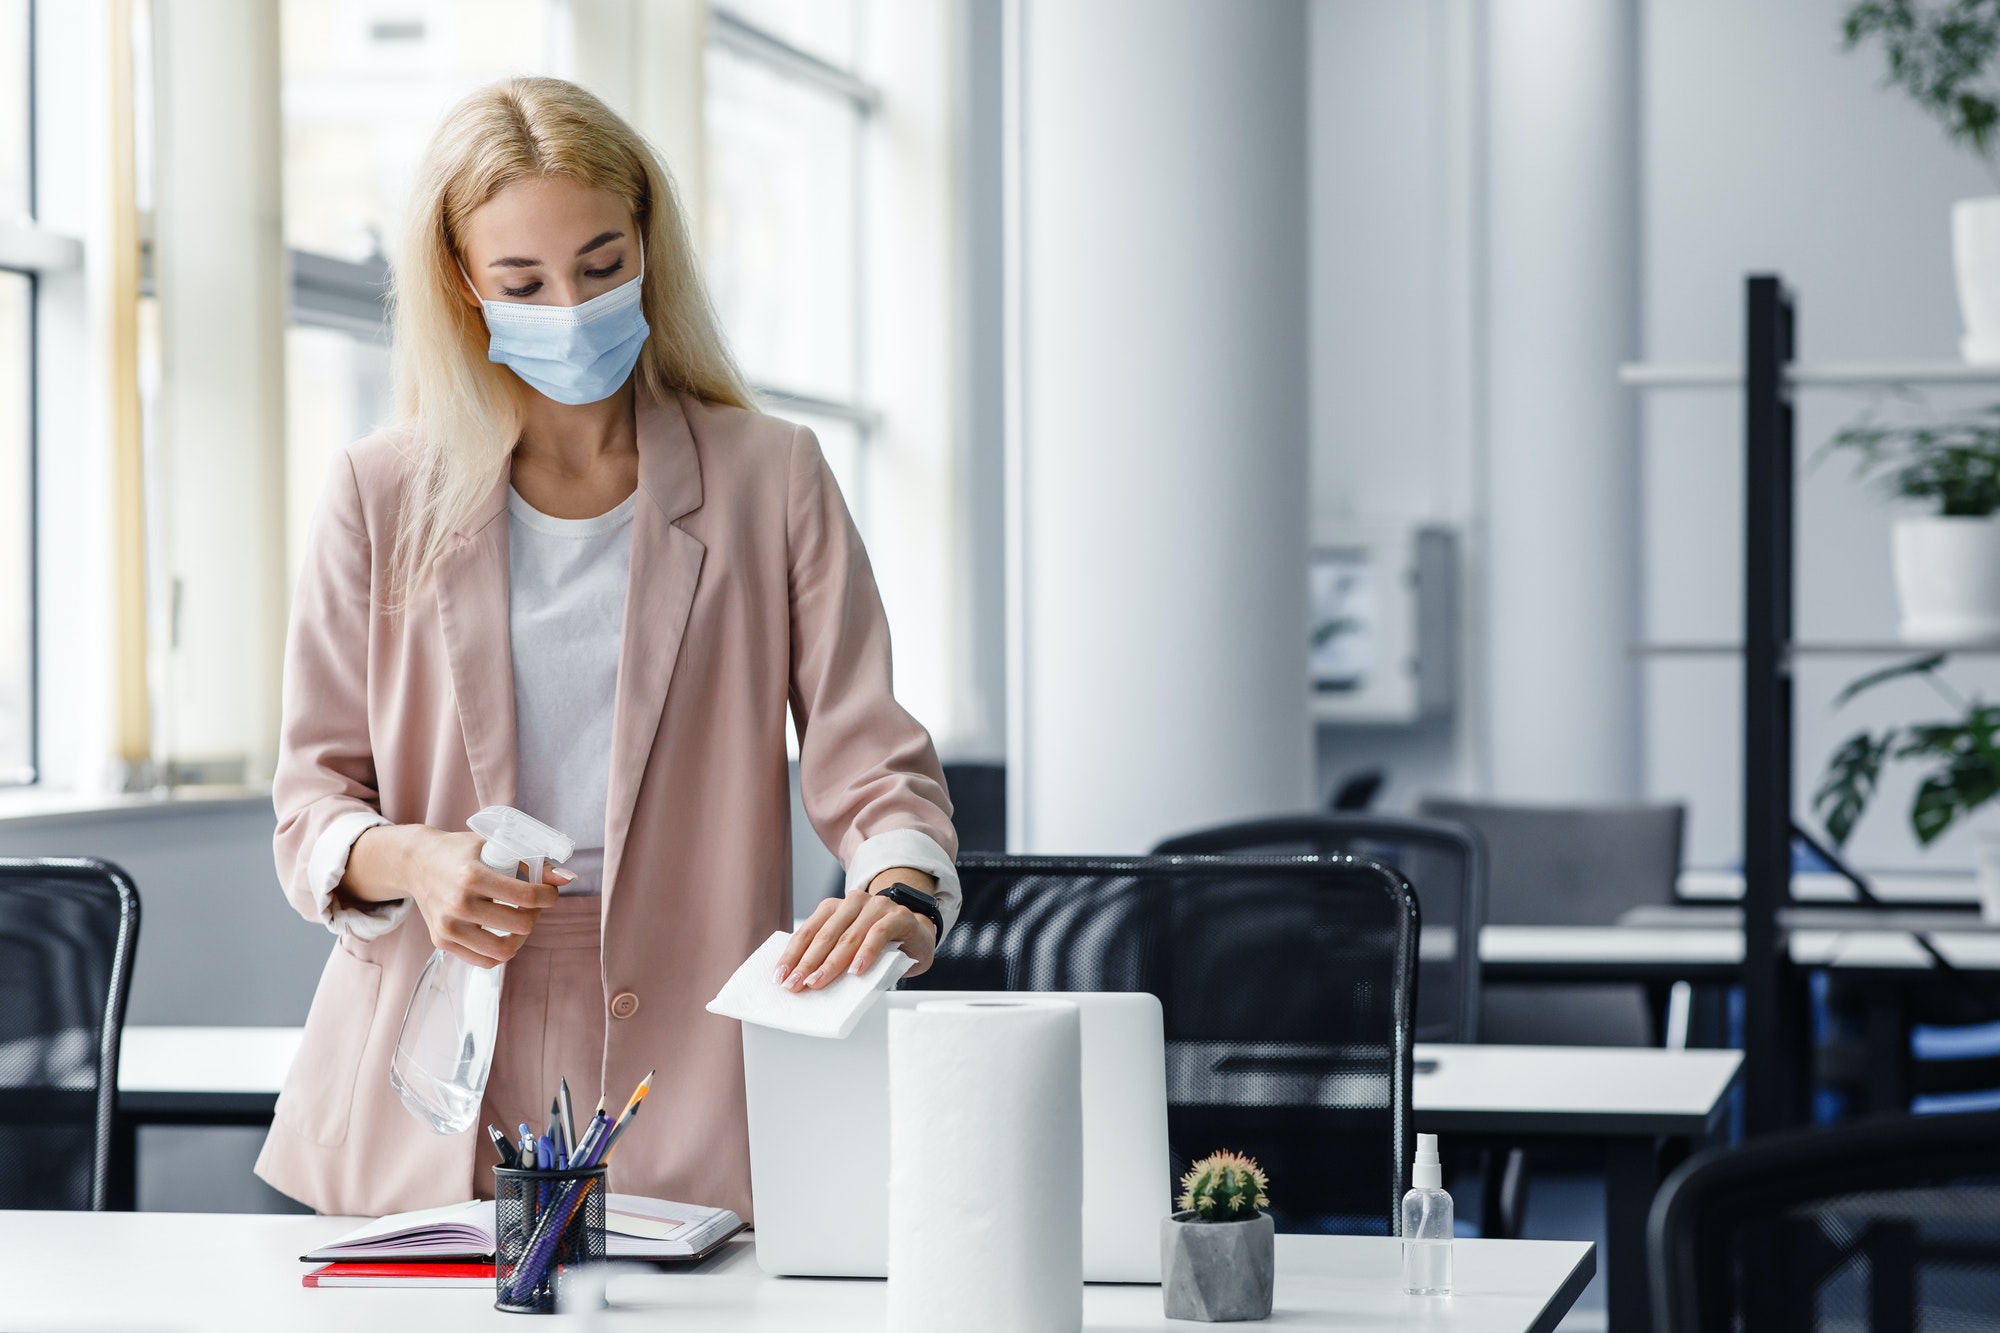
pixel 667 565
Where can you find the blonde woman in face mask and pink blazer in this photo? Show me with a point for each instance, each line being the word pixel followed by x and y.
pixel 585 577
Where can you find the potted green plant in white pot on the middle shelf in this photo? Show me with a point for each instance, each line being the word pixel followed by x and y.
pixel 1949 561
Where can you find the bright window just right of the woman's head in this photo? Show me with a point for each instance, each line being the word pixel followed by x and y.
pixel 785 215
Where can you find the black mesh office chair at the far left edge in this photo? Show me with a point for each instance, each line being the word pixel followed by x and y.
pixel 67 940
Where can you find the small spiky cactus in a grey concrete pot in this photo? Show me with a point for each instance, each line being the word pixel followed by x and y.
pixel 1217 1254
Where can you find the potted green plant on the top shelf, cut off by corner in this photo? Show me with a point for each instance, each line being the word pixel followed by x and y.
pixel 1941 53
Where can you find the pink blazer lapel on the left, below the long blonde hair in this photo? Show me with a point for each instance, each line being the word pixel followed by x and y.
pixel 473 615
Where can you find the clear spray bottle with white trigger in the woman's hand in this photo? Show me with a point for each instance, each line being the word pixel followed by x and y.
pixel 447 1044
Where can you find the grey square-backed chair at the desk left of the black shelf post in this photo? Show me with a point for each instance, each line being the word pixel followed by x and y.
pixel 1571 866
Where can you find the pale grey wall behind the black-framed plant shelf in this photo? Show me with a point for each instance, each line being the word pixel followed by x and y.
pixel 1767 149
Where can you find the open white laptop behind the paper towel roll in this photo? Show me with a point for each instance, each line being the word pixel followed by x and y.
pixel 817 1218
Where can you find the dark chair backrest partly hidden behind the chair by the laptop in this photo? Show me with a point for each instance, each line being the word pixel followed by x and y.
pixel 1443 862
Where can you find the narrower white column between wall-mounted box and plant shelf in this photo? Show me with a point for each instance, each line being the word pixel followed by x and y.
pixel 1563 313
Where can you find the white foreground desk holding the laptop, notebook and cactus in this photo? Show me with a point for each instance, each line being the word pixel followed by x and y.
pixel 239 1274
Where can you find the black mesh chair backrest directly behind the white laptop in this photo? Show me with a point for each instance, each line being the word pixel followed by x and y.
pixel 1287 994
